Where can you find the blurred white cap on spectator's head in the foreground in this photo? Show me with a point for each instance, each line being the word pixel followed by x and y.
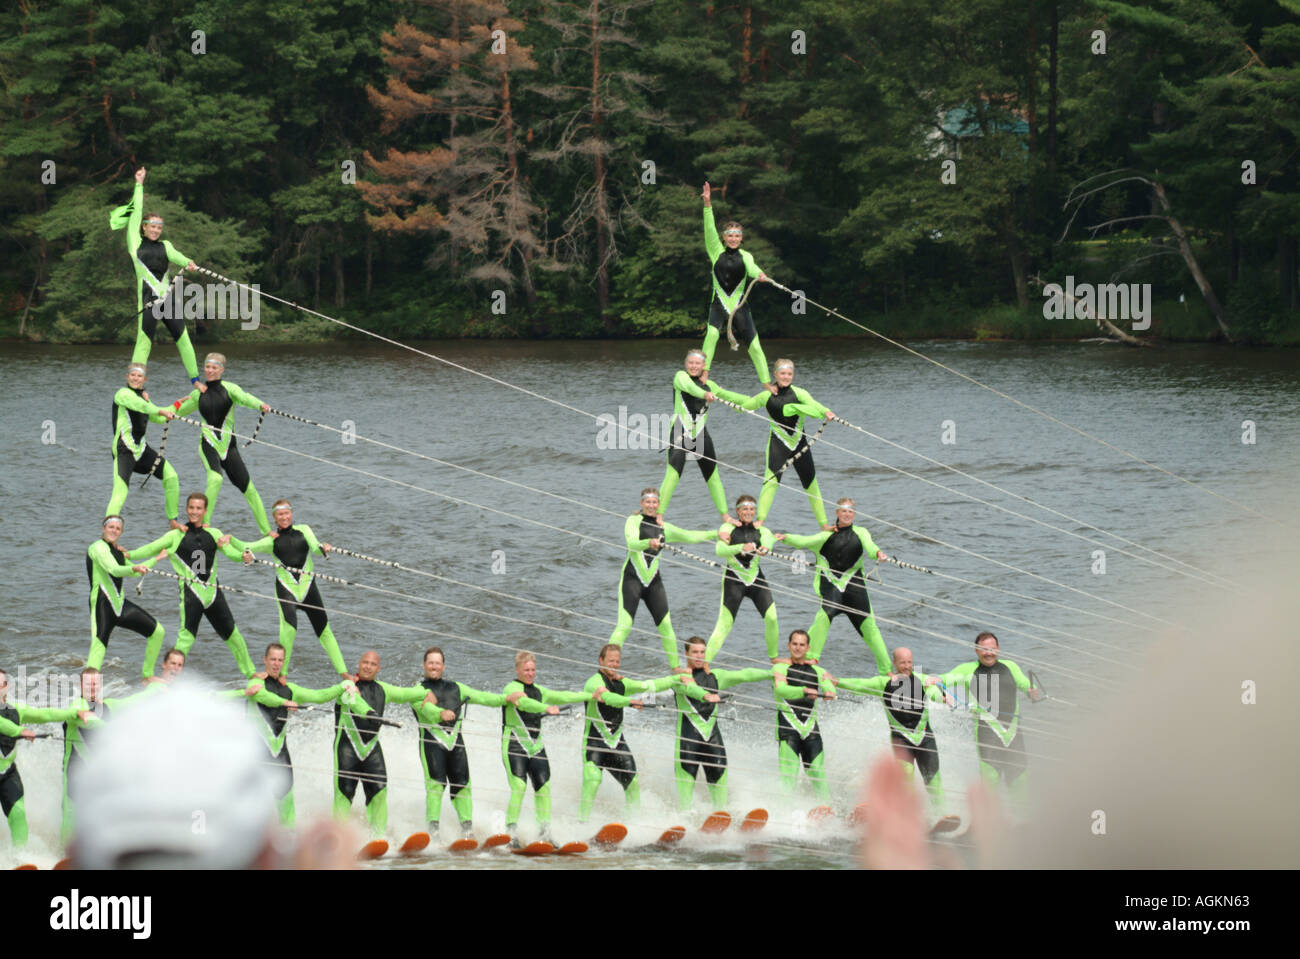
pixel 180 780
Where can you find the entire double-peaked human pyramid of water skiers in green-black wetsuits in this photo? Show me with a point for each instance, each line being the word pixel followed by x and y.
pixel 359 700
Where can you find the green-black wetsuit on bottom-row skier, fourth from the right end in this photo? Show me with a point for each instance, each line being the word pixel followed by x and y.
pixel 700 741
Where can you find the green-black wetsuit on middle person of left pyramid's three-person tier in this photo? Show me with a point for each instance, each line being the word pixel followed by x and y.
pixel 194 556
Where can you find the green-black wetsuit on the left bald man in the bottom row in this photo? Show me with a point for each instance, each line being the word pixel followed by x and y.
pixel 358 754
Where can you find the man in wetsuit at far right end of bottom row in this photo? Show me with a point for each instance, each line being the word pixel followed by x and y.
pixel 993 692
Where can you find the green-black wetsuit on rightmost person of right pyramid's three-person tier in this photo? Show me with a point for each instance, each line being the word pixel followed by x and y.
pixel 842 585
